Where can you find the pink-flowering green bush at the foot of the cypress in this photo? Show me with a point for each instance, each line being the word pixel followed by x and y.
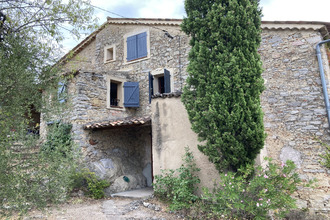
pixel 254 193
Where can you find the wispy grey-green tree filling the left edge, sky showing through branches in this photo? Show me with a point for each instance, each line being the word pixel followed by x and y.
pixel 29 33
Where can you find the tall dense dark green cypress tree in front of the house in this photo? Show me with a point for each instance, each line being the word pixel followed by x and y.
pixel 222 95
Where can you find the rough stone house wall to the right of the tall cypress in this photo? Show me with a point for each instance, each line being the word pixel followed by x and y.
pixel 294 111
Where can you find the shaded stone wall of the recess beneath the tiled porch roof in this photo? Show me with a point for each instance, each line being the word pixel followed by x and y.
pixel 121 156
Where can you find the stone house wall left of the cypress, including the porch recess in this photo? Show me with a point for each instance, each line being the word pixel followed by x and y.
pixel 125 151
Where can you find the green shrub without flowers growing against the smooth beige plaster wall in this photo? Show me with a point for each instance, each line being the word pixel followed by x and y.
pixel 178 186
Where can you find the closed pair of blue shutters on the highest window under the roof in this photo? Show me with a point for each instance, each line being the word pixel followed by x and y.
pixel 137 46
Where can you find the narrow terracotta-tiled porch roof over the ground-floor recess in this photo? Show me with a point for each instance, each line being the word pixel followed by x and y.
pixel 128 121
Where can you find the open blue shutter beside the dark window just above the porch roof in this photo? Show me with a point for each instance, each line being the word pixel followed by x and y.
pixel 131 94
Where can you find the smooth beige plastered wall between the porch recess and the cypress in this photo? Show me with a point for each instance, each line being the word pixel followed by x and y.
pixel 171 133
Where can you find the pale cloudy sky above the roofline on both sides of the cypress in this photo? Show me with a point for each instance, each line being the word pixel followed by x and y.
pixel 273 10
